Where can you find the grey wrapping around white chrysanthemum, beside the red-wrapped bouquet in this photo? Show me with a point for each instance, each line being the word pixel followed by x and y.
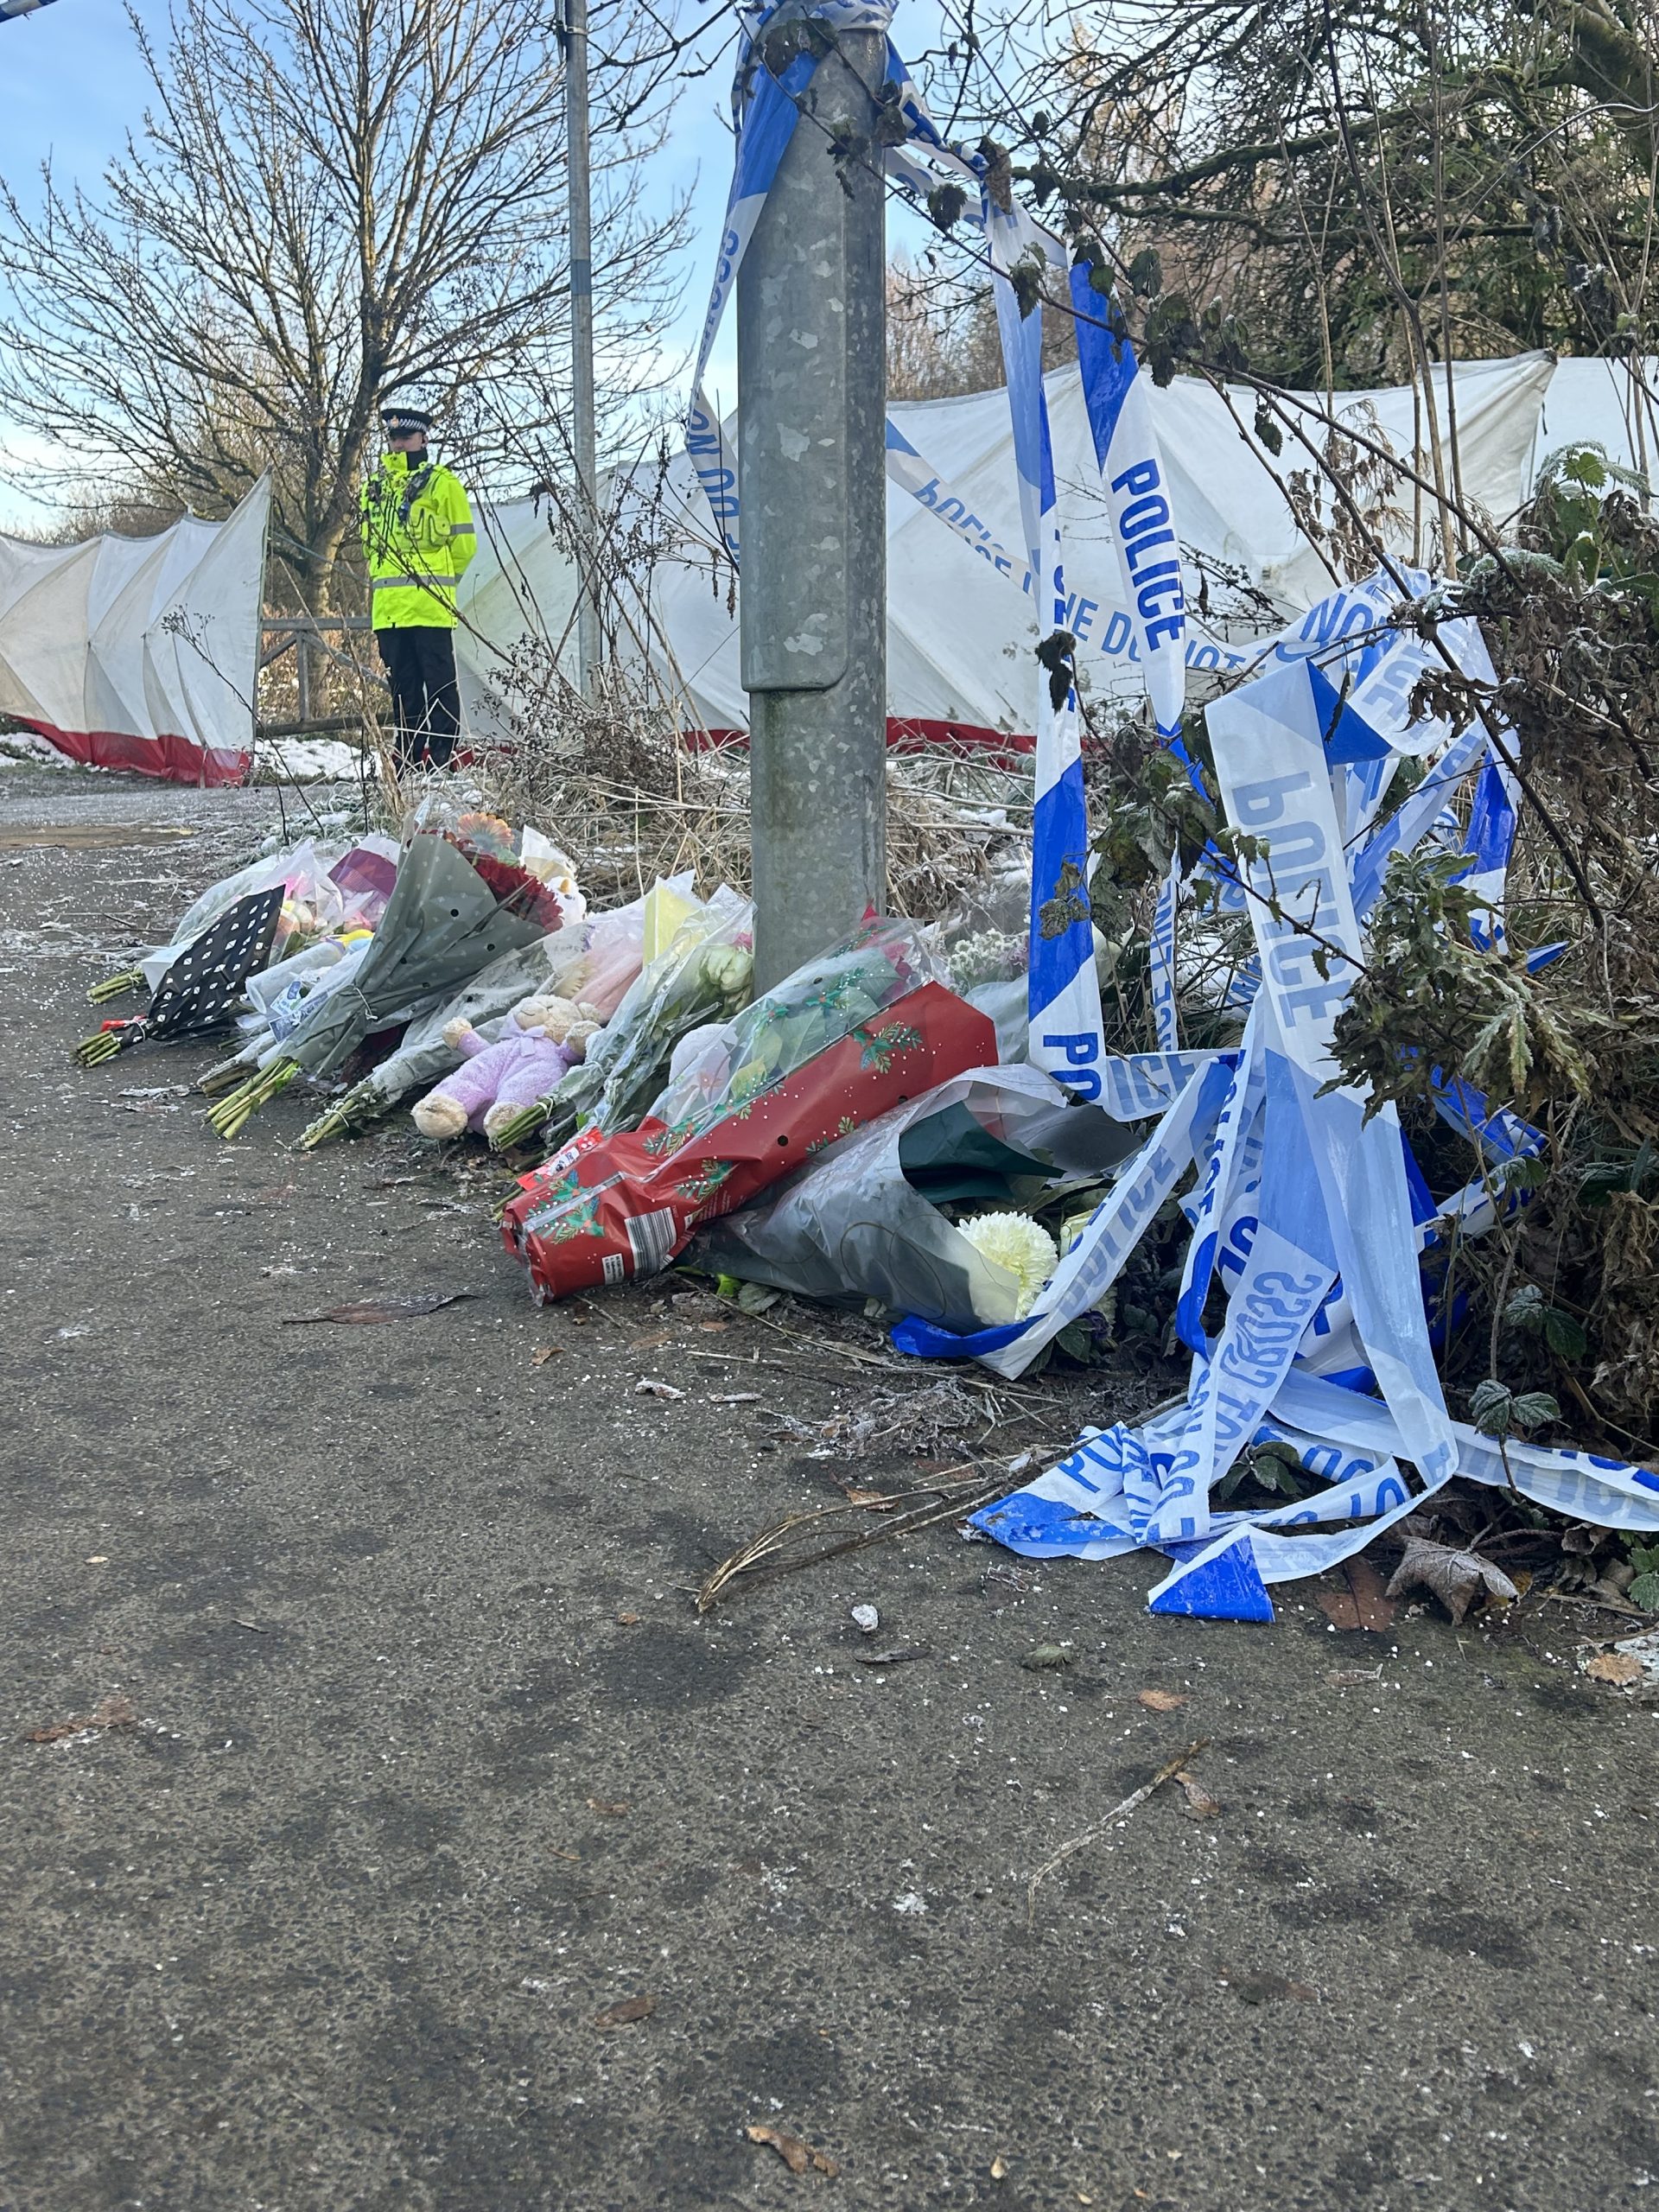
pixel 857 1224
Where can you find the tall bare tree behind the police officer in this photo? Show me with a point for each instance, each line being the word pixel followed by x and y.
pixel 331 202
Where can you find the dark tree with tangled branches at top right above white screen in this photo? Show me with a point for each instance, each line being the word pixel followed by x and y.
pixel 1361 189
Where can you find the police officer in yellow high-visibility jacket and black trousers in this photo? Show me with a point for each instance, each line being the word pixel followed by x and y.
pixel 417 541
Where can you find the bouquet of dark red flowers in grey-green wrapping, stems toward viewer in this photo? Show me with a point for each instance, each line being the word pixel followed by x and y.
pixel 461 901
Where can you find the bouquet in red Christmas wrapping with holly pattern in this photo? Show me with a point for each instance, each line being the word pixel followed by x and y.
pixel 831 1050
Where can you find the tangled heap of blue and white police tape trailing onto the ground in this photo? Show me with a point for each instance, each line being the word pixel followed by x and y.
pixel 1306 1213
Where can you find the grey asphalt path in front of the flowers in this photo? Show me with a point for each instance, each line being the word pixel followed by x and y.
pixel 419 1846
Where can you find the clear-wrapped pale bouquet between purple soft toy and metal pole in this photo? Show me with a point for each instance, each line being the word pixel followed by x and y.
pixel 702 979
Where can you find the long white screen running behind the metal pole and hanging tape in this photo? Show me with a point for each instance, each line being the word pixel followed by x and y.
pixel 959 634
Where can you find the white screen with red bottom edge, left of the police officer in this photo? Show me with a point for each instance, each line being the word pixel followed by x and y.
pixel 140 651
